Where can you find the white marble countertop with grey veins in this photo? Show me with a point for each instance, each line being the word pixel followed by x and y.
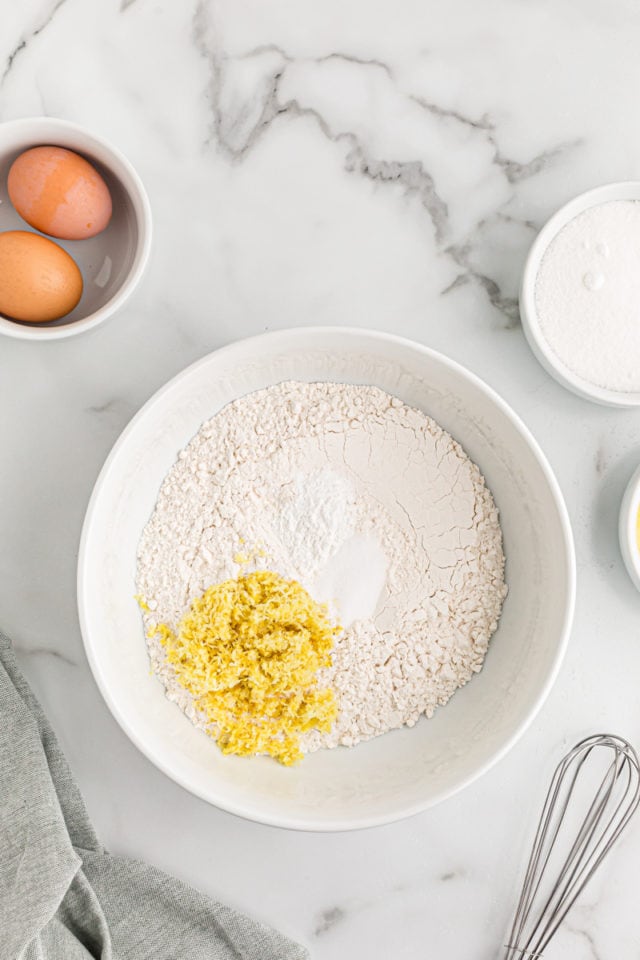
pixel 372 164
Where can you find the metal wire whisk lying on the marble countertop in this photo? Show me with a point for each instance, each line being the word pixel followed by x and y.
pixel 594 792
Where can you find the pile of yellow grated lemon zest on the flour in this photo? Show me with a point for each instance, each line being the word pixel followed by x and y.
pixel 249 651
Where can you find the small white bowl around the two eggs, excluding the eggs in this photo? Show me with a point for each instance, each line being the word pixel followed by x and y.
pixel 112 262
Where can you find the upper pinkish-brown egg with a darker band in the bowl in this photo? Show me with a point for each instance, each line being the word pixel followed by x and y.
pixel 60 193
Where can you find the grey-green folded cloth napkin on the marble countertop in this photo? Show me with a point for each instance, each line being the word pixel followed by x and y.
pixel 62 896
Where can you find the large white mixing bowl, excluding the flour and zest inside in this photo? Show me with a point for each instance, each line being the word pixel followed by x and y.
pixel 402 772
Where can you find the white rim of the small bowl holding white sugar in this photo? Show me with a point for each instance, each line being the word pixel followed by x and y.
pixel 629 190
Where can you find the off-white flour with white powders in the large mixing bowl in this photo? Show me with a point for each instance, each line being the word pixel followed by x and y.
pixel 366 502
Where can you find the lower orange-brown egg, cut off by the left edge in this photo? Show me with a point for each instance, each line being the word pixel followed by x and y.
pixel 39 281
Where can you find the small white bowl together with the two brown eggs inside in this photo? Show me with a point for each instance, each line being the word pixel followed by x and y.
pixel 75 229
